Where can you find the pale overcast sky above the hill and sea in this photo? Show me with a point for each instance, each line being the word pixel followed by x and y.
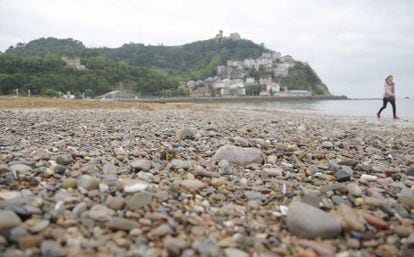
pixel 352 45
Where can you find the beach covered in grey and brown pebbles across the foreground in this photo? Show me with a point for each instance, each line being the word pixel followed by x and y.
pixel 206 182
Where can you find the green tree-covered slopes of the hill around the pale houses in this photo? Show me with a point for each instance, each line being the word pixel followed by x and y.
pixel 141 69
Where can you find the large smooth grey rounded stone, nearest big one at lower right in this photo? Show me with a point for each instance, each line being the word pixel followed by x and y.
pixel 323 225
